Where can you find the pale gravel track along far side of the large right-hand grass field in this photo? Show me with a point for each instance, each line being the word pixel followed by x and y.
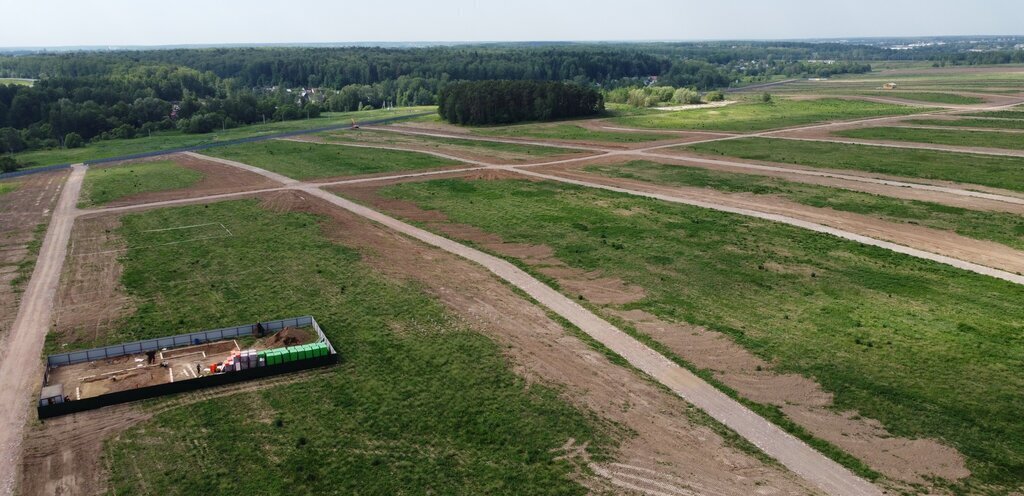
pixel 967 266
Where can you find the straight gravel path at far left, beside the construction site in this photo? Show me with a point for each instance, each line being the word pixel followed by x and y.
pixel 25 342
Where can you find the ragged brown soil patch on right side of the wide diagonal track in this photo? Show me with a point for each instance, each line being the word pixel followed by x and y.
pixel 803 400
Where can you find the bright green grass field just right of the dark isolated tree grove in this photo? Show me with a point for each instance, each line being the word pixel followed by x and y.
pixel 758 117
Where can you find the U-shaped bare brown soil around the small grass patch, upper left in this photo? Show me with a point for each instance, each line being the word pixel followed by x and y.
pixel 218 180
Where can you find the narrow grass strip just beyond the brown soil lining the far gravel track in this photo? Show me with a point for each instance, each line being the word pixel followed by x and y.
pixel 1001 228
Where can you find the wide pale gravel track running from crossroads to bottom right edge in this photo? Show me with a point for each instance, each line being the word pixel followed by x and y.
pixel 814 467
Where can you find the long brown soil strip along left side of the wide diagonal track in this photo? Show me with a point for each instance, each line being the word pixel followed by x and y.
pixel 666 450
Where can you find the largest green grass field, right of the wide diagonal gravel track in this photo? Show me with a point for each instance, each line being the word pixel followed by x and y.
pixel 928 350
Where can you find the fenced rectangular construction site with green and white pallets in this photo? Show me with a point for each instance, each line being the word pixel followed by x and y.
pixel 92 379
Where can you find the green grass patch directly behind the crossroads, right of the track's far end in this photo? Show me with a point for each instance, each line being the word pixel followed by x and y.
pixel 313 161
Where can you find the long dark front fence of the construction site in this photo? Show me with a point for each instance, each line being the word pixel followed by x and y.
pixel 51 411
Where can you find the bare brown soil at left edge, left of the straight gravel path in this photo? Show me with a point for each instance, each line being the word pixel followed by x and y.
pixel 21 213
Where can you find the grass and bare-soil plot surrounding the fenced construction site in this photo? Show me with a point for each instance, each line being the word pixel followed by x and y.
pixel 399 311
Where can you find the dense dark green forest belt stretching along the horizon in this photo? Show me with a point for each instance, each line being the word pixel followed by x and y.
pixel 88 96
